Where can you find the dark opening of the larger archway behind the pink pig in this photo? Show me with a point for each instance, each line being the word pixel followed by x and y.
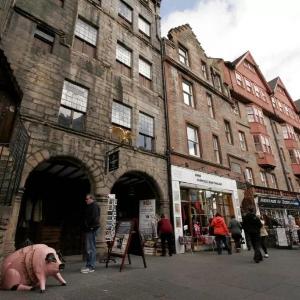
pixel 53 205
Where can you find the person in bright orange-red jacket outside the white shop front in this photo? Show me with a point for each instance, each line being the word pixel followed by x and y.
pixel 221 233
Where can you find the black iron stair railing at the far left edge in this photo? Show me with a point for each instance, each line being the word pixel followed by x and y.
pixel 12 159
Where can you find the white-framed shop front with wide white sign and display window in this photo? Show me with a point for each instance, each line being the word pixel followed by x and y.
pixel 197 197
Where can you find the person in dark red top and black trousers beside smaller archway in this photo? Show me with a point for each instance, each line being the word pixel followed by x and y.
pixel 165 232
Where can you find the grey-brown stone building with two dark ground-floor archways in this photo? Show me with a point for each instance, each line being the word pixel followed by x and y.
pixel 91 76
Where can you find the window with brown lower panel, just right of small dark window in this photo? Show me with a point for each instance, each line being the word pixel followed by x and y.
pixel 85 39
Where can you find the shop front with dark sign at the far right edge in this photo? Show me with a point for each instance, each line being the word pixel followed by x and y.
pixel 282 217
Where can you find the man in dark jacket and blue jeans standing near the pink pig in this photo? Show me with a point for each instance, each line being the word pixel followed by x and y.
pixel 91 225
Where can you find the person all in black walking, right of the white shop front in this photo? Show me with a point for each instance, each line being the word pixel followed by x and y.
pixel 252 226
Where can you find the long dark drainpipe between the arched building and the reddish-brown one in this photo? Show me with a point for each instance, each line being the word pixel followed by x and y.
pixel 166 120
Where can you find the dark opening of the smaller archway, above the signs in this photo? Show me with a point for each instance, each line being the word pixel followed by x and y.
pixel 130 189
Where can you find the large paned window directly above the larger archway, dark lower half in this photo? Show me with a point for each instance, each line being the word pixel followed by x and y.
pixel 73 106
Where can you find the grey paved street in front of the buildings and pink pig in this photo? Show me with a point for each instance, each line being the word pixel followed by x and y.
pixel 202 275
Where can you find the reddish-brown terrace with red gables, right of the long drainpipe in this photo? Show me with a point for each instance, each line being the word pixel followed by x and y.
pixel 226 139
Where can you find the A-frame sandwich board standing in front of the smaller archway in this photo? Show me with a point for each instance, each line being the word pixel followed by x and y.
pixel 127 240
